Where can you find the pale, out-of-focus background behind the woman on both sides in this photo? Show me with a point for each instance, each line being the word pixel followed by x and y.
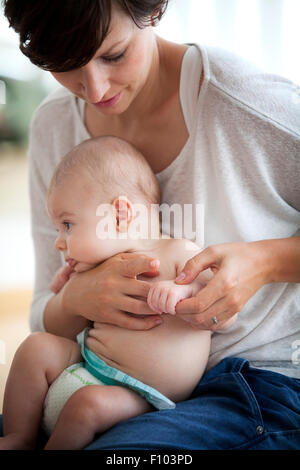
pixel 265 32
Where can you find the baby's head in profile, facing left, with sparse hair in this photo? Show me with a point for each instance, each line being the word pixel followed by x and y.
pixel 108 177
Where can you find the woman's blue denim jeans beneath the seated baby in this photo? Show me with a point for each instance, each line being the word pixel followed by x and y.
pixel 234 406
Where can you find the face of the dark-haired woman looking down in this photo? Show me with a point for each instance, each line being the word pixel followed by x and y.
pixel 118 71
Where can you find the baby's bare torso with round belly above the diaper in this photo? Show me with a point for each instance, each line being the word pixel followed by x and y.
pixel 170 357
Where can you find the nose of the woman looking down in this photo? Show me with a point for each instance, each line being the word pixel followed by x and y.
pixel 95 82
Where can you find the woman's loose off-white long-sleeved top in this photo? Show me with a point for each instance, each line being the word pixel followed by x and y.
pixel 240 168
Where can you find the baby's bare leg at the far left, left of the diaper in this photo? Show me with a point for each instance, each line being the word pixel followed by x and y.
pixel 36 364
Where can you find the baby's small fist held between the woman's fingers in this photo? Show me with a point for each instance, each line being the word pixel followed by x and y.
pixel 164 295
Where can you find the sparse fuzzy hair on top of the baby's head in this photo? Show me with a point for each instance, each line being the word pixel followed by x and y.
pixel 113 163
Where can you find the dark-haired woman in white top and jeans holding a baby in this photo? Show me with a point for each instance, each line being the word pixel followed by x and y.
pixel 220 135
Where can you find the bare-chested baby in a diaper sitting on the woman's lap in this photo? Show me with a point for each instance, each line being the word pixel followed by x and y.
pixel 92 200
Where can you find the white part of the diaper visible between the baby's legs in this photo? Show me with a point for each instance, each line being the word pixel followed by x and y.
pixel 71 379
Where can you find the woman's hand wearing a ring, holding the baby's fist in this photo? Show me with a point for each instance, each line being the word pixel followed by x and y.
pixel 239 269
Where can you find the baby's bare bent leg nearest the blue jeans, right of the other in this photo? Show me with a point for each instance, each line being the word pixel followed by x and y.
pixel 94 409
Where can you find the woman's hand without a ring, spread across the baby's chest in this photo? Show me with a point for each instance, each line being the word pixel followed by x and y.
pixel 108 293
